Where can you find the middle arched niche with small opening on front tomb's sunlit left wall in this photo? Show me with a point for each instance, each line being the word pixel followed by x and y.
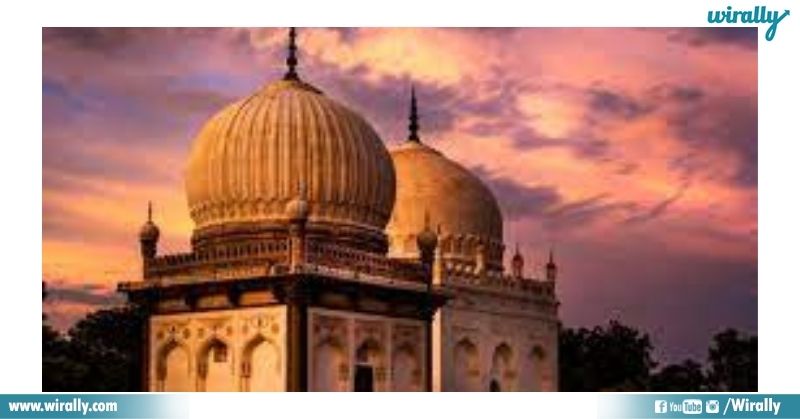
pixel 215 371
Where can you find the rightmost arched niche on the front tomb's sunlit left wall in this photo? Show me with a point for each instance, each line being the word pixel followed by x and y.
pixel 261 365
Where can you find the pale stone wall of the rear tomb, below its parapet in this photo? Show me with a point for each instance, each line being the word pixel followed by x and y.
pixel 488 343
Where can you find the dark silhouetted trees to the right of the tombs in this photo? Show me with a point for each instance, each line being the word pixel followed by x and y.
pixel 619 358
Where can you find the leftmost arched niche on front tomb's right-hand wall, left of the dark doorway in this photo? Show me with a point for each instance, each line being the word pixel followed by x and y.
pixel 329 366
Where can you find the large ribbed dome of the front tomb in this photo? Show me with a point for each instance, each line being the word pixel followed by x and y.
pixel 249 159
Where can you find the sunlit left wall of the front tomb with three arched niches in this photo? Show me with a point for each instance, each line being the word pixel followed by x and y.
pixel 226 350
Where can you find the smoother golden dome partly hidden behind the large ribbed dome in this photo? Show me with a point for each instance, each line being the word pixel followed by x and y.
pixel 454 199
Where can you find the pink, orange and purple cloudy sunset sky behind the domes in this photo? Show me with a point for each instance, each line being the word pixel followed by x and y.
pixel 632 152
